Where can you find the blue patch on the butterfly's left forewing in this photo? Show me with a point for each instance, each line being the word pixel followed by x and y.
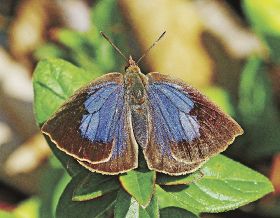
pixel 103 105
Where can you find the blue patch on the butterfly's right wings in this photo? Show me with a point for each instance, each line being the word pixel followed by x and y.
pixel 171 112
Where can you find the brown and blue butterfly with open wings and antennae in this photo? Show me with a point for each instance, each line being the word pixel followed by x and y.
pixel 105 124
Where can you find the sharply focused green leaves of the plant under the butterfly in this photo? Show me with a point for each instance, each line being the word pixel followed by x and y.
pixel 225 185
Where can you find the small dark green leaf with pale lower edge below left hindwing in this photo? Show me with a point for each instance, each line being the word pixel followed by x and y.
pixel 95 185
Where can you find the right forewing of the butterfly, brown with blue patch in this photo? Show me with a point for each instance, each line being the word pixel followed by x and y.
pixel 192 128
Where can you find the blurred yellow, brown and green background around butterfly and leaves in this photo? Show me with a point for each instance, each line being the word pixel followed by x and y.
pixel 228 49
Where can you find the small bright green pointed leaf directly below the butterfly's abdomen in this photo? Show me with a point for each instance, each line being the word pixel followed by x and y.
pixel 139 184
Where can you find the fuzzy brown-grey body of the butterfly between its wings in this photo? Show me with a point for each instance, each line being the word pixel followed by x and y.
pixel 135 83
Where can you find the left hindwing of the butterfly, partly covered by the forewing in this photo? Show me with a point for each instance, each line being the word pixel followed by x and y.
pixel 125 151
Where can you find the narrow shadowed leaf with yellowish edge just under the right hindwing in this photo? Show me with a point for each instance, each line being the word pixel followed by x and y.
pixel 163 179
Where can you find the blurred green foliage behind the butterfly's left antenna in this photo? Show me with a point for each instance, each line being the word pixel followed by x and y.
pixel 89 49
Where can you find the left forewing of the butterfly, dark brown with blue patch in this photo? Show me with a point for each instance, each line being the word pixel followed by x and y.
pixel 86 126
